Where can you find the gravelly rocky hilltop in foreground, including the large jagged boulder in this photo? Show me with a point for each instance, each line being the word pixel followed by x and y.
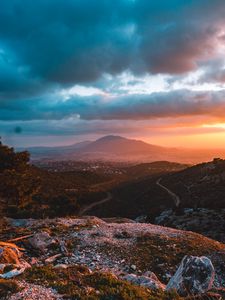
pixel 127 251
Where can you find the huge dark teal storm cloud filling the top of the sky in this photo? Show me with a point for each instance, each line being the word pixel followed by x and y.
pixel 77 41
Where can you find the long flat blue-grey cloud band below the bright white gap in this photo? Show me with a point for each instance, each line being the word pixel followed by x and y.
pixel 135 107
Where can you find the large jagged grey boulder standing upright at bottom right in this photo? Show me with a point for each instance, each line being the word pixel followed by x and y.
pixel 194 276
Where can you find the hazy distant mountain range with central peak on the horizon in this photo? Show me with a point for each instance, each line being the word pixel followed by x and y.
pixel 117 148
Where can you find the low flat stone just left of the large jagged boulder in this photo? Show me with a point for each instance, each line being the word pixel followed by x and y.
pixel 151 281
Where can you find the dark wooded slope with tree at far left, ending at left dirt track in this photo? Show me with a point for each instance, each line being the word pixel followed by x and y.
pixel 26 190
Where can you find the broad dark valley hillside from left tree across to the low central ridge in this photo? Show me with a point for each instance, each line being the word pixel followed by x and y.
pixel 66 188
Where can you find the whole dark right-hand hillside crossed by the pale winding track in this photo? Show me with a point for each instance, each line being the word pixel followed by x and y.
pixel 199 189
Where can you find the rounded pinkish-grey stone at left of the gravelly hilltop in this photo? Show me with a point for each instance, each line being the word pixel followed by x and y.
pixel 41 241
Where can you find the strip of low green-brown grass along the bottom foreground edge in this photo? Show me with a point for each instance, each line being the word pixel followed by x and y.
pixel 77 283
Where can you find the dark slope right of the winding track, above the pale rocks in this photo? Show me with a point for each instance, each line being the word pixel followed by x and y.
pixel 199 186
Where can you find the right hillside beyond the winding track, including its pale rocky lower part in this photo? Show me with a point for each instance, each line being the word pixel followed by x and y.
pixel 200 190
